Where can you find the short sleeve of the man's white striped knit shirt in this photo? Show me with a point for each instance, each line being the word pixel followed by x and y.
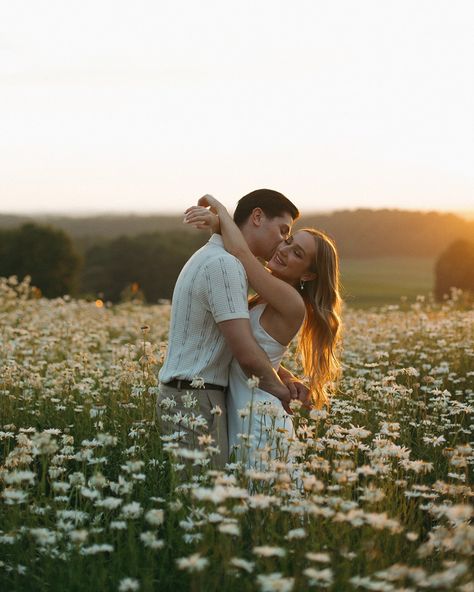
pixel 226 288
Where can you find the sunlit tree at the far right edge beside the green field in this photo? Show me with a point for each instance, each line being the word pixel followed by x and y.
pixel 455 268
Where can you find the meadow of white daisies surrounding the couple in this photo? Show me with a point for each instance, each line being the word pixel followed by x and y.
pixel 374 493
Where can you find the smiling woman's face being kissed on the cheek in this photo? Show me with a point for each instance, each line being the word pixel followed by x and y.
pixel 294 258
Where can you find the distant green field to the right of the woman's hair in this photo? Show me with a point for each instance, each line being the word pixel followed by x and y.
pixel 375 282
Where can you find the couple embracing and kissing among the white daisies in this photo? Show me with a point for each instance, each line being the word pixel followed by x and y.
pixel 222 337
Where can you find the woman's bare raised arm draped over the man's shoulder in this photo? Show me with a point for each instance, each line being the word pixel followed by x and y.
pixel 280 295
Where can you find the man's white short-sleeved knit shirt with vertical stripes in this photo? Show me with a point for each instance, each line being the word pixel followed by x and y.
pixel 211 288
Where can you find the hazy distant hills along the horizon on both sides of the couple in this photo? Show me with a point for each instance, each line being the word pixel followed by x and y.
pixel 358 233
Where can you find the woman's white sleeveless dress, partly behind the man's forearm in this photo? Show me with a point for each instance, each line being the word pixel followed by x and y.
pixel 258 426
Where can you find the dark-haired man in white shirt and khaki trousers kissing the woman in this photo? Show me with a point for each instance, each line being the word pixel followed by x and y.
pixel 210 324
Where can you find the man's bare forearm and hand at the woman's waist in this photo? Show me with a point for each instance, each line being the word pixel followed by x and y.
pixel 252 359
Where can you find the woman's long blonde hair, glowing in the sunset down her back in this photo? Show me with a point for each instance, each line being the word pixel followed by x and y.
pixel 320 333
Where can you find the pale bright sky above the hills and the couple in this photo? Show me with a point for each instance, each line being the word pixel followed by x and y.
pixel 109 106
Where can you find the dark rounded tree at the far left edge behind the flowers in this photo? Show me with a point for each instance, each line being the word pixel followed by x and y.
pixel 45 253
